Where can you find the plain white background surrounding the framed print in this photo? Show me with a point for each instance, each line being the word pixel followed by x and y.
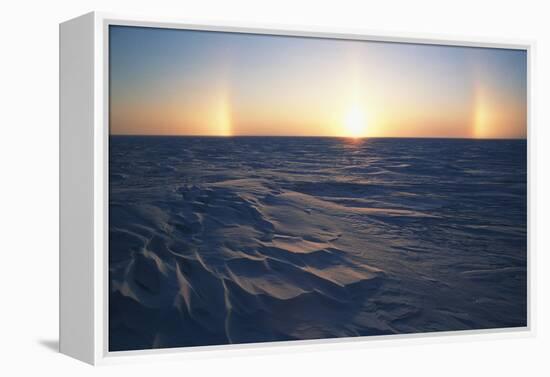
pixel 29 186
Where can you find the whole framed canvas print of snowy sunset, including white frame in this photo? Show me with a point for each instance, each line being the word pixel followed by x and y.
pixel 224 187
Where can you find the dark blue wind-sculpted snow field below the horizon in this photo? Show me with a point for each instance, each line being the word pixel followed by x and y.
pixel 251 239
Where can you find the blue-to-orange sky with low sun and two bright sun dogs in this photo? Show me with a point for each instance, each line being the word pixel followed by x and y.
pixel 185 82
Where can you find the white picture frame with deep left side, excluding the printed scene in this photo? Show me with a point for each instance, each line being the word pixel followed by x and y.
pixel 84 139
